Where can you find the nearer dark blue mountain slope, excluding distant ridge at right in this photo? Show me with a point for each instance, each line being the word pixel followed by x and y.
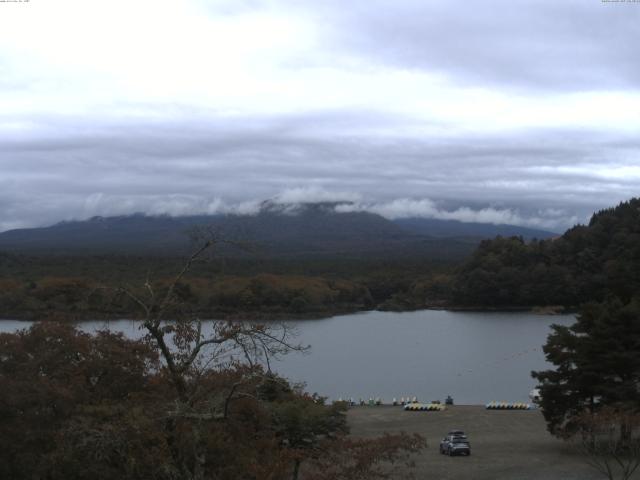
pixel 313 230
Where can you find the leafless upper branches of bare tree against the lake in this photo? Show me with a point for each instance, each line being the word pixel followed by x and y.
pixel 190 346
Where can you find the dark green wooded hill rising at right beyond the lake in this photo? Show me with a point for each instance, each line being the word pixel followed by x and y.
pixel 586 263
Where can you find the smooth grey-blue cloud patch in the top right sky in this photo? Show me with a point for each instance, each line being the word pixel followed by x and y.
pixel 531 44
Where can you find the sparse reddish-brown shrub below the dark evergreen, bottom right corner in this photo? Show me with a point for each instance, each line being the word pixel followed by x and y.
pixel 610 442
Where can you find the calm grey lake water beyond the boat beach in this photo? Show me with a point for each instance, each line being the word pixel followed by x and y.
pixel 475 357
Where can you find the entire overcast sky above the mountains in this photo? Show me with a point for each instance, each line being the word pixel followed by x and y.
pixel 519 111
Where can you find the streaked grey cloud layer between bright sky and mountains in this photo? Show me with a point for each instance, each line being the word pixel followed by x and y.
pixel 199 167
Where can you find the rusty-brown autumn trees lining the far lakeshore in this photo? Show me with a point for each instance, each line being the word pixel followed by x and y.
pixel 220 297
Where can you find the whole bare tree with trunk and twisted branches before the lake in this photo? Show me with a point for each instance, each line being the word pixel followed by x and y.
pixel 190 348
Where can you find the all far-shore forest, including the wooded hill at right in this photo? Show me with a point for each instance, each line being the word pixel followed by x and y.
pixel 588 262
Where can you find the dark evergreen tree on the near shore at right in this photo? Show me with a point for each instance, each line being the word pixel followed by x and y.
pixel 597 362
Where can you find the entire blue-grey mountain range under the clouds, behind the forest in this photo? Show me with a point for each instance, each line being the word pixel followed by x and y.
pixel 300 229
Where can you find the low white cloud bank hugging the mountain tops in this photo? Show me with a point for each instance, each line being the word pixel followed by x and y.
pixel 289 201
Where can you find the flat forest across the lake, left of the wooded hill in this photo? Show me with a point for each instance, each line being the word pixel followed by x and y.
pixel 82 287
